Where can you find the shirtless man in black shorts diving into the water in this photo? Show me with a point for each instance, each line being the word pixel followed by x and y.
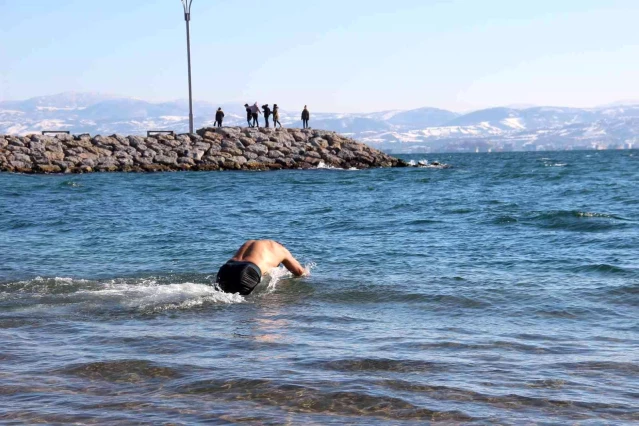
pixel 243 272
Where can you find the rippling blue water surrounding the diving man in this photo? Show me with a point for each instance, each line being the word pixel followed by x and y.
pixel 502 290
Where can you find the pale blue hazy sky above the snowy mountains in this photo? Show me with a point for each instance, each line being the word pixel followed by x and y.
pixel 335 55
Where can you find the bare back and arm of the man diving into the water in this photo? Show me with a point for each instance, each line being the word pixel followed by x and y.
pixel 268 254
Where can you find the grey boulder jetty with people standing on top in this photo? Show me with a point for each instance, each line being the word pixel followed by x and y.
pixel 228 148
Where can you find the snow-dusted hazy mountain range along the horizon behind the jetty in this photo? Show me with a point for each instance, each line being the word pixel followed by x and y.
pixel 418 130
